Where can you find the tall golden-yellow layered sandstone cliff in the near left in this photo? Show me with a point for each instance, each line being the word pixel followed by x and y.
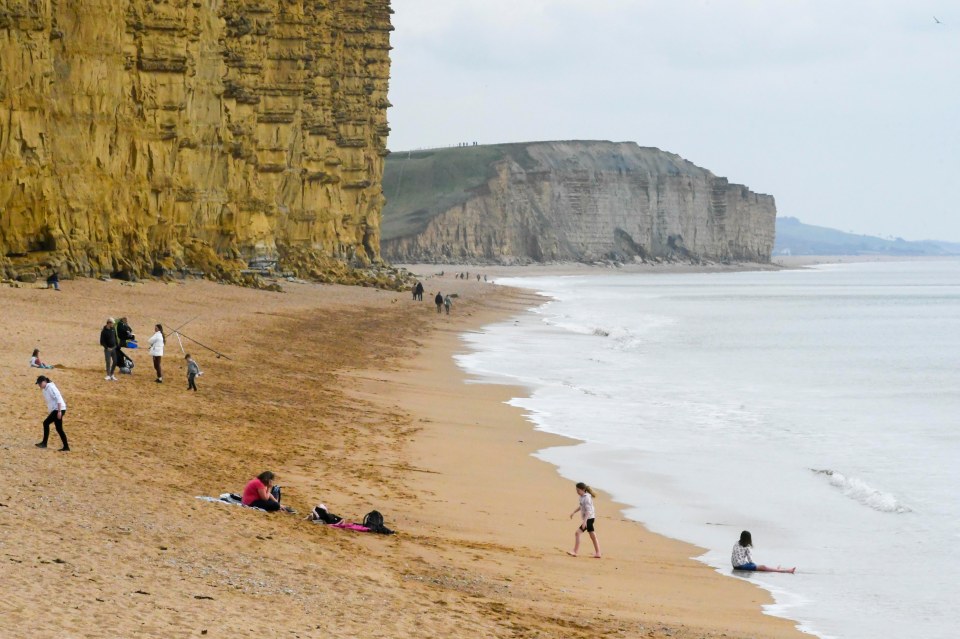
pixel 145 134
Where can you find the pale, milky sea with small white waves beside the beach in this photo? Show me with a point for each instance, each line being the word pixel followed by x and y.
pixel 818 408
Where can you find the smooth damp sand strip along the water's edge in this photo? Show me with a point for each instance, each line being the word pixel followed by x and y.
pixel 690 596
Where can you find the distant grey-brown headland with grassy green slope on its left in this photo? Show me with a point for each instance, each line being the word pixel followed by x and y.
pixel 579 201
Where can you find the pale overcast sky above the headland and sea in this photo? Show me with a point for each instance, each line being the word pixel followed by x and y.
pixel 848 112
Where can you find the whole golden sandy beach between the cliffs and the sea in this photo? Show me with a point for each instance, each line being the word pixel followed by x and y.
pixel 352 398
